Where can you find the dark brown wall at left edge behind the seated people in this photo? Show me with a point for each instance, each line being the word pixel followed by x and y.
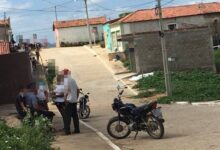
pixel 15 72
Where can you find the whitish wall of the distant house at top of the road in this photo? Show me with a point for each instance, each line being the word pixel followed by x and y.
pixel 78 34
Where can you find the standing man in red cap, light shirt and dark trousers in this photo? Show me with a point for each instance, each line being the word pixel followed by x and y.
pixel 70 99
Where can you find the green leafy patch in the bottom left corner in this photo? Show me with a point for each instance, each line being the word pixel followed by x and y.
pixel 35 134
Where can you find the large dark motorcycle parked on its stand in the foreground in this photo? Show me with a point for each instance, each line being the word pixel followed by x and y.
pixel 147 118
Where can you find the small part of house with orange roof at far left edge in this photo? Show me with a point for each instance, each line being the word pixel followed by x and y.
pixel 5 28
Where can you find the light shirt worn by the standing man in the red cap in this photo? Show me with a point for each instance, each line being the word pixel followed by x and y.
pixel 71 89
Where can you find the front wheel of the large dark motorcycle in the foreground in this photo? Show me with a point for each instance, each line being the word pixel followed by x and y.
pixel 118 128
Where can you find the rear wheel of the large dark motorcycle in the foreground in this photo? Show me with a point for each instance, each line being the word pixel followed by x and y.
pixel 155 128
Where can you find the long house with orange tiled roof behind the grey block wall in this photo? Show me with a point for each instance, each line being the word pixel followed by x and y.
pixel 177 17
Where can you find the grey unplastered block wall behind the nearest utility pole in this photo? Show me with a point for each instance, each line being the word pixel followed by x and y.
pixel 192 49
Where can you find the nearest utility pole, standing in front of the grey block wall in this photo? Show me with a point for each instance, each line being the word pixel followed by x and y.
pixel 164 51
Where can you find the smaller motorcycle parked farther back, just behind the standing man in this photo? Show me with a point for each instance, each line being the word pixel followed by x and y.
pixel 84 109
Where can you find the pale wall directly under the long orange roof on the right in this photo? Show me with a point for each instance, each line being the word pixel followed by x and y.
pixel 182 22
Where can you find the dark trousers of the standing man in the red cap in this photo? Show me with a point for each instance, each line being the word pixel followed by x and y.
pixel 71 112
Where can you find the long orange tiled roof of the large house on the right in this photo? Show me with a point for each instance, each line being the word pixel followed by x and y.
pixel 172 12
